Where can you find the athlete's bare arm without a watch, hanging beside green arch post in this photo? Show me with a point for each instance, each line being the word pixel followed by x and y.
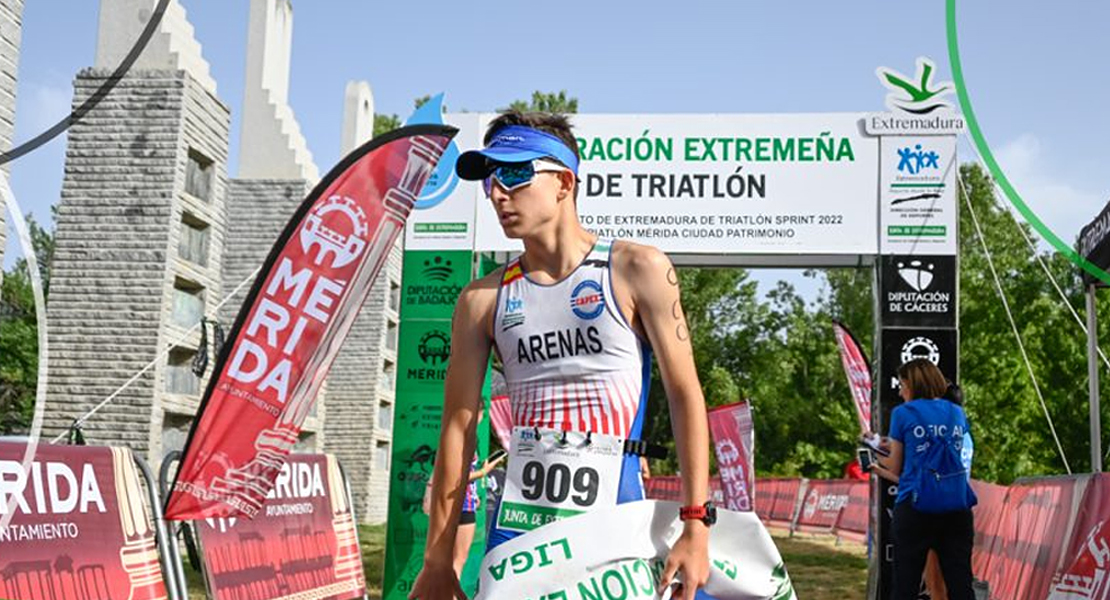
pixel 470 354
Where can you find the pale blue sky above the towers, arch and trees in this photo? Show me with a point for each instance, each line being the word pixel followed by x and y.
pixel 1034 70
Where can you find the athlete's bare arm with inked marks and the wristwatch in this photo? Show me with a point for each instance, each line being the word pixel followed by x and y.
pixel 653 288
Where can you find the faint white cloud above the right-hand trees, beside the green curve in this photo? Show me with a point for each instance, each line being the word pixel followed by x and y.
pixel 1063 206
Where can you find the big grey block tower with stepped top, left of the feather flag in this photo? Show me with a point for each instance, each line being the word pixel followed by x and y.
pixel 140 237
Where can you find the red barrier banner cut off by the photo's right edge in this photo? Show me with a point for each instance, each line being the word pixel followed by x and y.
pixel 1087 572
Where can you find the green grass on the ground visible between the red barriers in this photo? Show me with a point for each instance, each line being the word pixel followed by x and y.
pixel 820 568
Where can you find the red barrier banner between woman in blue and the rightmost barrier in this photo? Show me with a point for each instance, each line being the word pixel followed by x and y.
pixel 1028 545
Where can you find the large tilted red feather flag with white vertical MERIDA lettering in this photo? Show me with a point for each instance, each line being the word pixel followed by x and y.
pixel 292 324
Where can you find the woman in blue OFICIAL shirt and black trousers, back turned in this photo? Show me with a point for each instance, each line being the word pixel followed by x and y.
pixel 924 415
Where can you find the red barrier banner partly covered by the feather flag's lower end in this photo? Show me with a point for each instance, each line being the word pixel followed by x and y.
pixel 301 545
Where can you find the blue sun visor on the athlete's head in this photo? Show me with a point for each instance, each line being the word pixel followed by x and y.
pixel 514 145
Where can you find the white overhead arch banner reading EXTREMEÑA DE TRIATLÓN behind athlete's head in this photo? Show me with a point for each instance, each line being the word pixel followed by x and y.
pixel 695 185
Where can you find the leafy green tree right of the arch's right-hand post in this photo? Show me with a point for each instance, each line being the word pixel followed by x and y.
pixel 1013 439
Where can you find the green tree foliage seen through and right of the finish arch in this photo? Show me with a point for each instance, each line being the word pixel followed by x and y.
pixel 779 351
